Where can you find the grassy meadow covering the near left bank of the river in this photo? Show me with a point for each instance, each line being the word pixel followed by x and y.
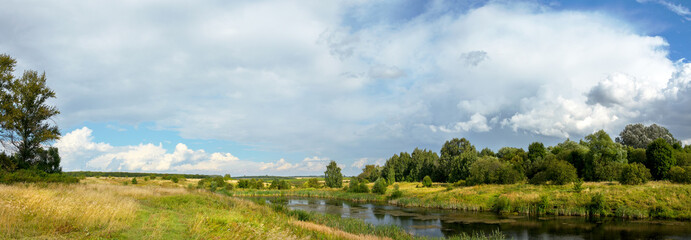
pixel 114 208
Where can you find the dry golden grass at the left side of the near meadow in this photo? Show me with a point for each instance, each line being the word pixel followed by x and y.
pixel 32 211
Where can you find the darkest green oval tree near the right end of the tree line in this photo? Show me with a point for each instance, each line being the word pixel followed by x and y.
pixel 659 158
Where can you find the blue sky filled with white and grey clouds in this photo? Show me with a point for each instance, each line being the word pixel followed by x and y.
pixel 283 87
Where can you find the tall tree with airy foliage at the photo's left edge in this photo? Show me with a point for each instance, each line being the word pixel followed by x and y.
pixel 25 116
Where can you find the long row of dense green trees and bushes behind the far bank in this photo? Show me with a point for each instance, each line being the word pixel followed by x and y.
pixel 640 153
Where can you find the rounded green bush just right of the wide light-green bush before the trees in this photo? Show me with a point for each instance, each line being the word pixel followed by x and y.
pixel 556 172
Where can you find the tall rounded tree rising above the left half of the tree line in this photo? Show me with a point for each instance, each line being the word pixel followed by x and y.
pixel 456 157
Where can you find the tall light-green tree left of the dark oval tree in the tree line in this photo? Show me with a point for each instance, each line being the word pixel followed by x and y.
pixel 605 159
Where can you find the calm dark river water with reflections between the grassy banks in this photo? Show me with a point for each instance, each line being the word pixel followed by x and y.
pixel 441 223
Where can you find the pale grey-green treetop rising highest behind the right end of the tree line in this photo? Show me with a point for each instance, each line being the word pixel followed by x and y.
pixel 639 136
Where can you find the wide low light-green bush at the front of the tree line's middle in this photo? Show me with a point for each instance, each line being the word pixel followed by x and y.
pixel 491 170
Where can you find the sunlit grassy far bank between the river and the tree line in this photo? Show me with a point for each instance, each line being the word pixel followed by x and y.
pixel 651 200
